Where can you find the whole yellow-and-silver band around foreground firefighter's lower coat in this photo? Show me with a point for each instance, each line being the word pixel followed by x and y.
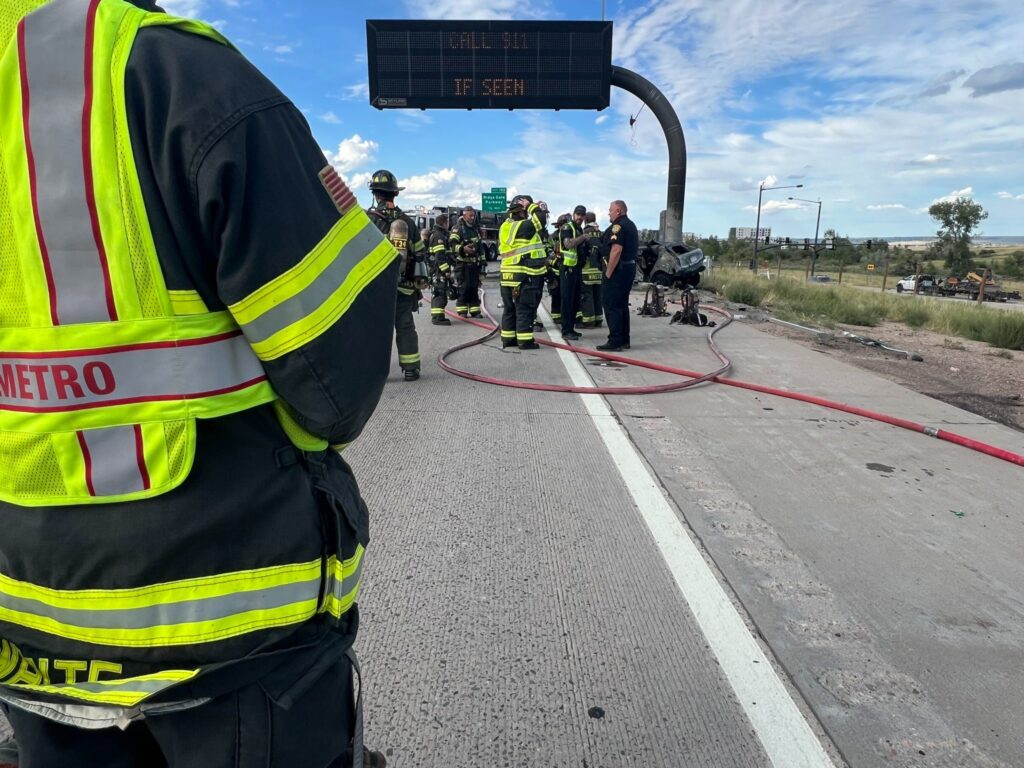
pixel 183 613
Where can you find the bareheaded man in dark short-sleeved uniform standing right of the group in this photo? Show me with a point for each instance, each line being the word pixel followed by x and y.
pixel 621 243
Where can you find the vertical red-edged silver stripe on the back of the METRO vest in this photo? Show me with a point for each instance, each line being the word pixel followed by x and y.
pixel 55 61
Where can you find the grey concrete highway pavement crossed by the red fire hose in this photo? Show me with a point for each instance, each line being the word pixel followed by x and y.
pixel 515 583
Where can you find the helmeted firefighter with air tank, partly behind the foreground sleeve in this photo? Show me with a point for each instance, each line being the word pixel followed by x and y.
pixel 406 238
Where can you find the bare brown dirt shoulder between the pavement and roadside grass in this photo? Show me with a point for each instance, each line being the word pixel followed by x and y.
pixel 967 374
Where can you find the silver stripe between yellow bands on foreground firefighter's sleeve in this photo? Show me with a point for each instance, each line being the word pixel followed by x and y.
pixel 317 293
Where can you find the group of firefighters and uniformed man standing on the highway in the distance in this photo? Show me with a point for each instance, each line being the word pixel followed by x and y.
pixel 573 262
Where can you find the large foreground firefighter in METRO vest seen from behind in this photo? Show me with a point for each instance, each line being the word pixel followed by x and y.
pixel 197 308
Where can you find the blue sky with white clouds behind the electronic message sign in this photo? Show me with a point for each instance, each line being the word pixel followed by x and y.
pixel 879 108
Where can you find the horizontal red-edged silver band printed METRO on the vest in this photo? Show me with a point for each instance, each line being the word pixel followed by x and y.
pixel 55 382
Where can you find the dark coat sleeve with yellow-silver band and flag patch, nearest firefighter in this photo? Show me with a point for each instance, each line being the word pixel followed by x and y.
pixel 247 214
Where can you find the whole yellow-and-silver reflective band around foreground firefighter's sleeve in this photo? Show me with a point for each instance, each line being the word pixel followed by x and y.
pixel 297 307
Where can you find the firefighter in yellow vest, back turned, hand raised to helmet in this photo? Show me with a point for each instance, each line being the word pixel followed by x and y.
pixel 524 268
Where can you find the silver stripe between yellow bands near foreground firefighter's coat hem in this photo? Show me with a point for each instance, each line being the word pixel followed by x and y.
pixel 172 615
